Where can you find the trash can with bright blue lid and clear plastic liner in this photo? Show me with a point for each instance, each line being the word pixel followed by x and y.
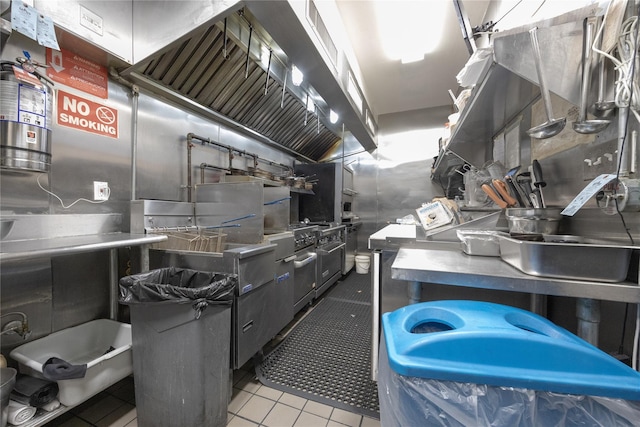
pixel 462 363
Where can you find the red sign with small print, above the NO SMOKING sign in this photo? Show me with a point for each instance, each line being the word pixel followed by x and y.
pixel 77 72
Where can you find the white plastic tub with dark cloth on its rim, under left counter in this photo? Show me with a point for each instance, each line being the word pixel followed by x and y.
pixel 103 344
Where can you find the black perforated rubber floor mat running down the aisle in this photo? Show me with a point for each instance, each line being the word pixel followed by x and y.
pixel 327 356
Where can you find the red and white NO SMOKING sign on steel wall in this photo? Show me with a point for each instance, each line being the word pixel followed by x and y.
pixel 79 113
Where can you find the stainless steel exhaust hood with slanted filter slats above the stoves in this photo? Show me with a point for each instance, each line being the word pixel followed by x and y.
pixel 235 69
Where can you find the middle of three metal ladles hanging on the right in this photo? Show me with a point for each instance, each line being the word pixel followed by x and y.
pixel 583 125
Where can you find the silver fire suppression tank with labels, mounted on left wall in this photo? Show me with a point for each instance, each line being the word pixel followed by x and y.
pixel 26 109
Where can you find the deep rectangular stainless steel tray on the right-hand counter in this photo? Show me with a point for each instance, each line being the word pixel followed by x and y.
pixel 568 257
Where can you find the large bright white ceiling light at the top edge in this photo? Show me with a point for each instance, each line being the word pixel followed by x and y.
pixel 409 29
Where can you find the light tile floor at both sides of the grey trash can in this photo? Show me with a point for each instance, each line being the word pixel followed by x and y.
pixel 252 404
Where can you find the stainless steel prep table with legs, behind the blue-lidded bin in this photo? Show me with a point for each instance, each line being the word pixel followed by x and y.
pixel 404 259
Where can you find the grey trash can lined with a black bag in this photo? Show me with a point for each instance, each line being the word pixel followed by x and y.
pixel 181 336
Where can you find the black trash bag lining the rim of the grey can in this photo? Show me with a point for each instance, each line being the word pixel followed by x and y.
pixel 178 285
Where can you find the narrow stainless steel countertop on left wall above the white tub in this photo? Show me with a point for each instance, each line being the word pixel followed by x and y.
pixel 39 248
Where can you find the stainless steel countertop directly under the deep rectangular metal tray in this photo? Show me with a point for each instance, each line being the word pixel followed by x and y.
pixel 451 267
